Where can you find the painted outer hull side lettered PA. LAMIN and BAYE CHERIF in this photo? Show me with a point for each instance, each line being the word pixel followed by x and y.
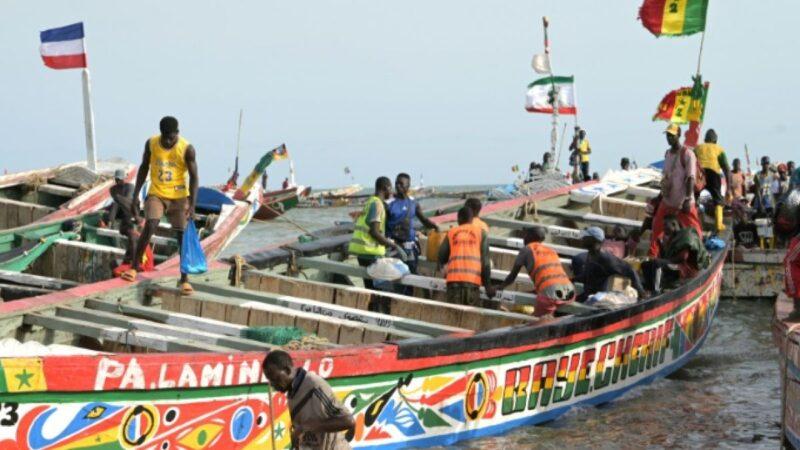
pixel 413 393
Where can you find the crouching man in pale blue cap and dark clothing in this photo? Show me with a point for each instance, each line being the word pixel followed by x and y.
pixel 600 265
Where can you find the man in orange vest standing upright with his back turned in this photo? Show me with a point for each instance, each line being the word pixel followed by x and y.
pixel 465 251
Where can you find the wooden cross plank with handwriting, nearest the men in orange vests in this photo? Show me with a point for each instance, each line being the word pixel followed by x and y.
pixel 468 317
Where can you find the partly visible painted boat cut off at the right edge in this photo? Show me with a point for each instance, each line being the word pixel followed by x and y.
pixel 785 331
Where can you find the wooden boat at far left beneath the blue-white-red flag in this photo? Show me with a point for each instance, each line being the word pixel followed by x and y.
pixel 57 192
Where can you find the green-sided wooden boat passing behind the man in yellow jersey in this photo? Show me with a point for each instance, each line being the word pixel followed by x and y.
pixel 60 254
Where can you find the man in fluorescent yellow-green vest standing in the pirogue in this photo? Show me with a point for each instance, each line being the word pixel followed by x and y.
pixel 369 240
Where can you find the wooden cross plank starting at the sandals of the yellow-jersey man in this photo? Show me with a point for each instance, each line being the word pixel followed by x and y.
pixel 255 314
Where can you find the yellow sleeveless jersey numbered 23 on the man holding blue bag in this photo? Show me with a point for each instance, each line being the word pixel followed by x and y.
pixel 168 178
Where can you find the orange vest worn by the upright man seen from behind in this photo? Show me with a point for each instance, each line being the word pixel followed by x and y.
pixel 464 265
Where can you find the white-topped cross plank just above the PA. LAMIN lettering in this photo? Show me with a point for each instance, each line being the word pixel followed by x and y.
pixel 150 341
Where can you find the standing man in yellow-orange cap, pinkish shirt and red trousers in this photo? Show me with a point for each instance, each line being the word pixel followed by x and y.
pixel 677 189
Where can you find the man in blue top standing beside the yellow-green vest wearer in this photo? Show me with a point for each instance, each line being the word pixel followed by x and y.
pixel 401 210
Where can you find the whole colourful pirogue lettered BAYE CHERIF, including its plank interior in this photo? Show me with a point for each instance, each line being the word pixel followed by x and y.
pixel 166 371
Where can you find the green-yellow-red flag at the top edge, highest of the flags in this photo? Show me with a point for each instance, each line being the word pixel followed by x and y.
pixel 674 17
